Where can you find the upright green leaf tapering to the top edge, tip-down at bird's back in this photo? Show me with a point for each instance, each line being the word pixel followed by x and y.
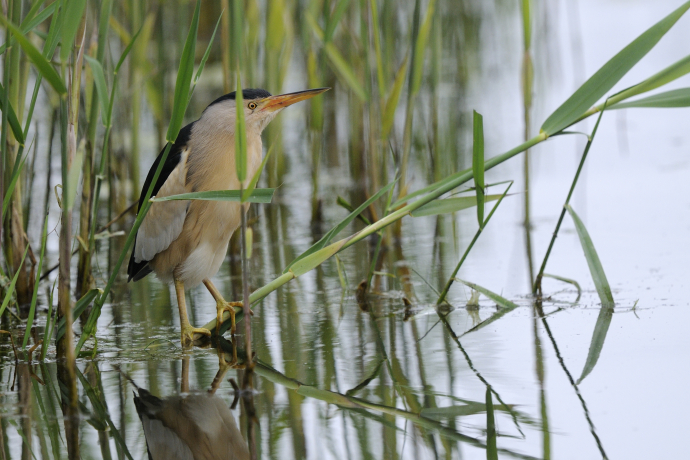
pixel 184 78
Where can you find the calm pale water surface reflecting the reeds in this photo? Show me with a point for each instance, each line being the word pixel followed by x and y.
pixel 418 385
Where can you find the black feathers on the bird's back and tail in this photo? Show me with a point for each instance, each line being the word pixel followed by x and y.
pixel 138 270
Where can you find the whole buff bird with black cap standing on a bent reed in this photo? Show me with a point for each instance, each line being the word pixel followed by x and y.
pixel 185 242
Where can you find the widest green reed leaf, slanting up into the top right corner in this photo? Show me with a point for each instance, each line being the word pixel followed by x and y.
pixel 608 75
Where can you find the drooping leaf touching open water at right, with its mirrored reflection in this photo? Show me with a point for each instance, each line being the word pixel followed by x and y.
pixel 604 291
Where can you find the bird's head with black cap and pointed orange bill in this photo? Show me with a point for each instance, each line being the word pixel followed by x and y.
pixel 260 107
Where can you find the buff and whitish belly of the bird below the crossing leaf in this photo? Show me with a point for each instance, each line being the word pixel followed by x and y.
pixel 214 224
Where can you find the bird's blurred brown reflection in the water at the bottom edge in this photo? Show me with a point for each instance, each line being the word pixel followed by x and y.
pixel 192 425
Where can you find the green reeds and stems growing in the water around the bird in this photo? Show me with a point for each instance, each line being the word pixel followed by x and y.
pixel 89 76
